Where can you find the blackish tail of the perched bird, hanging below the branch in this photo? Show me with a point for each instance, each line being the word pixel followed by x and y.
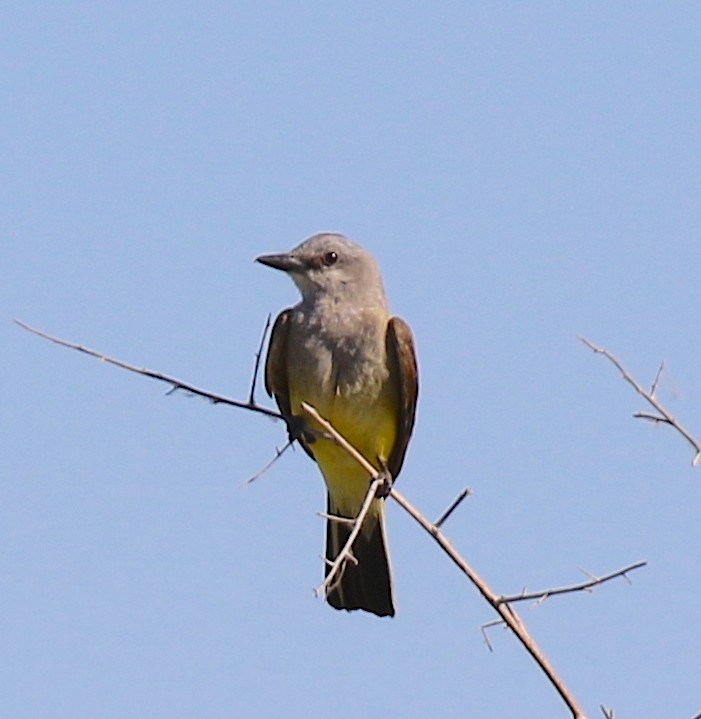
pixel 368 584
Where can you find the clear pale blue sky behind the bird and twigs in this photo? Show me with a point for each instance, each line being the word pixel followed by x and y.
pixel 524 173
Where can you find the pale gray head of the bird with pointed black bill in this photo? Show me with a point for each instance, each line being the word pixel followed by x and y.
pixel 331 265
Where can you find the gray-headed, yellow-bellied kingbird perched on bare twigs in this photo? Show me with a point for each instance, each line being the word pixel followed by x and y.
pixel 340 351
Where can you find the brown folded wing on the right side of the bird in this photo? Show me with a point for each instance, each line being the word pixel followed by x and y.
pixel 401 360
